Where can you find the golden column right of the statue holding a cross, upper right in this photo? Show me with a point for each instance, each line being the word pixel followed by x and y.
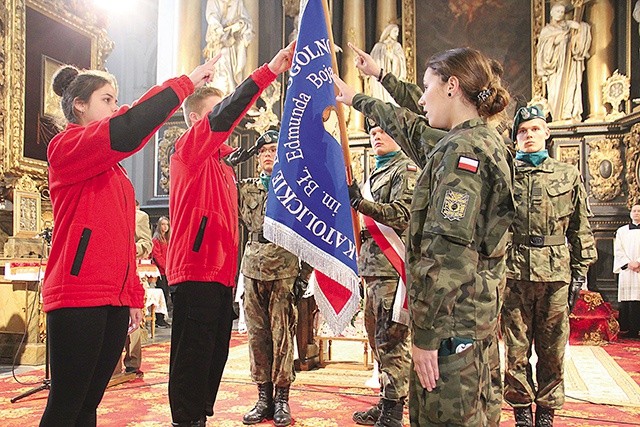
pixel 600 14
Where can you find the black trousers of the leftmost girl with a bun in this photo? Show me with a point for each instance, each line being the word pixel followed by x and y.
pixel 85 345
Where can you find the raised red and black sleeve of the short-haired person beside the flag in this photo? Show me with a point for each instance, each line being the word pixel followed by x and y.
pixel 199 142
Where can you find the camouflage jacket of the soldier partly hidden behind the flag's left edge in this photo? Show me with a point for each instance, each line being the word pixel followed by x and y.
pixel 261 261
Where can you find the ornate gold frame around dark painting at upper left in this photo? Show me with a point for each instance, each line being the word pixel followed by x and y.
pixel 78 17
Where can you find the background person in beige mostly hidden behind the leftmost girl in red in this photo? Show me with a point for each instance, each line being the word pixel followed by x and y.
pixel 144 245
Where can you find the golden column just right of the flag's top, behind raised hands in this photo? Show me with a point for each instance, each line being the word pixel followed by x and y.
pixel 353 31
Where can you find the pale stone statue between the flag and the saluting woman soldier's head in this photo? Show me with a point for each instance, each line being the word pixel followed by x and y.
pixel 389 55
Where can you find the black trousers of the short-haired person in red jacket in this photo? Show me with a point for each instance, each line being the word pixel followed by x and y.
pixel 200 334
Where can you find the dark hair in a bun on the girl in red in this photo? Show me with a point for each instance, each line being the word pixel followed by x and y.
pixel 70 83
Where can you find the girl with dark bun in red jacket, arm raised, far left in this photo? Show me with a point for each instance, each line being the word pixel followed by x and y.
pixel 91 293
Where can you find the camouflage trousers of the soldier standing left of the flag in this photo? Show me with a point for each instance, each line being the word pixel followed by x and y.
pixel 271 318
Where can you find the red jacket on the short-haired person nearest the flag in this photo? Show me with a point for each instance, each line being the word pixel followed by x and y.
pixel 203 200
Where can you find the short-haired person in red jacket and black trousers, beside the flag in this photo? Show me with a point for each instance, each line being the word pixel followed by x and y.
pixel 203 252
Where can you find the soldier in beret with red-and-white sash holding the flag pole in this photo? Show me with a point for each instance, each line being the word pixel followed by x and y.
pixel 386 202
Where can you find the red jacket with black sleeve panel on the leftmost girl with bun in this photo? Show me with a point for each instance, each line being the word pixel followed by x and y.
pixel 93 254
